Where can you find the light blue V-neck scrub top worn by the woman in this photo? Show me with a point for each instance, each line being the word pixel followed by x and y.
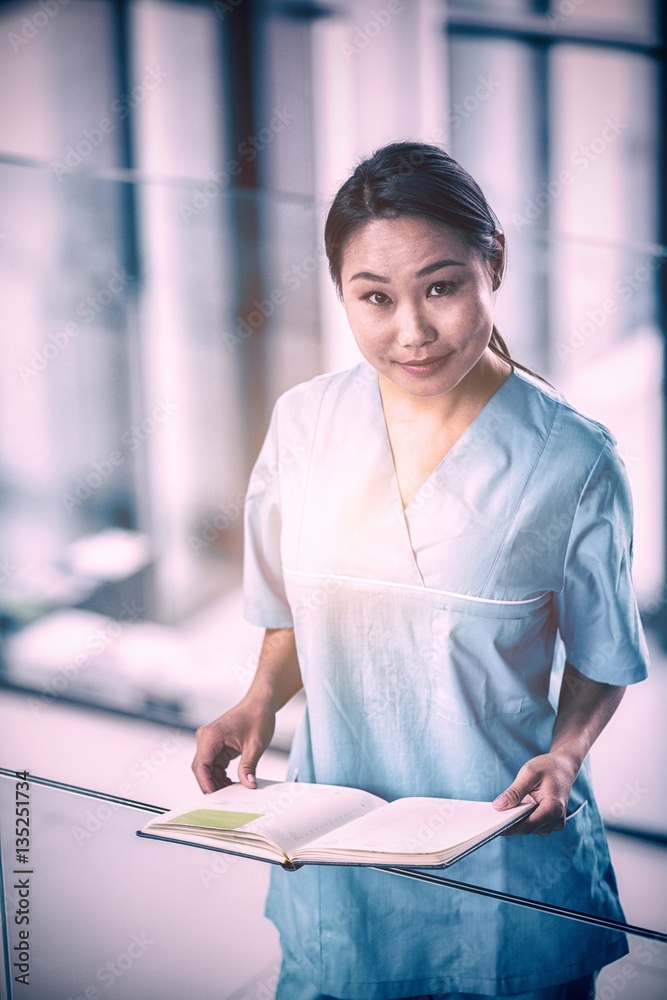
pixel 428 639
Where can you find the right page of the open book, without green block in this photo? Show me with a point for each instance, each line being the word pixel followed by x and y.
pixel 419 826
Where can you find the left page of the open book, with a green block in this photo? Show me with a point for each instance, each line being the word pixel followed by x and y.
pixel 289 814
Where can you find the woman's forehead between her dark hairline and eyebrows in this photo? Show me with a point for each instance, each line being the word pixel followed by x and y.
pixel 406 243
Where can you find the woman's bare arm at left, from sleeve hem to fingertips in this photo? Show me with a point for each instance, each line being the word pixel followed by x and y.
pixel 247 728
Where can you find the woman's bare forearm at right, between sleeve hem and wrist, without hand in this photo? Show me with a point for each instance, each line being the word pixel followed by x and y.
pixel 584 709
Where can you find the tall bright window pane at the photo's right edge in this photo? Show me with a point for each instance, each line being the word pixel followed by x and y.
pixel 606 344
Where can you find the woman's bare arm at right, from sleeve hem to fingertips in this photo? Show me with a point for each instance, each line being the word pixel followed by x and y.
pixel 584 709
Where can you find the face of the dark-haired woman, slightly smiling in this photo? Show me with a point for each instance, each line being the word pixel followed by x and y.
pixel 419 301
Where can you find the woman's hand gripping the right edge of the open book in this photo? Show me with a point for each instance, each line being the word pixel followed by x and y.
pixel 548 780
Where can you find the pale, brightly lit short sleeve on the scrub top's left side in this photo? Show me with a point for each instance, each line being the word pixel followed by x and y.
pixel 264 600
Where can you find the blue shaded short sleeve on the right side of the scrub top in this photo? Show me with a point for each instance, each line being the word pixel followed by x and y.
pixel 598 617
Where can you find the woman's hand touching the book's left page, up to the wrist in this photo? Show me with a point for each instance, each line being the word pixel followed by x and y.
pixel 247 729
